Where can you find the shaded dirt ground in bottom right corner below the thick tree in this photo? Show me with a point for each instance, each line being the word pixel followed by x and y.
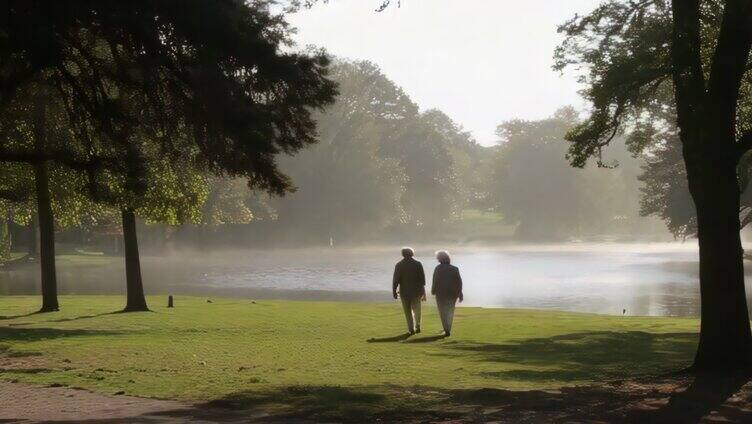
pixel 669 399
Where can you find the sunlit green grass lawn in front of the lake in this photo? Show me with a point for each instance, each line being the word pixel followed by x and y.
pixel 317 357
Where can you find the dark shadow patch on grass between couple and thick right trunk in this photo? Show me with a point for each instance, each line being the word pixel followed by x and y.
pixel 582 356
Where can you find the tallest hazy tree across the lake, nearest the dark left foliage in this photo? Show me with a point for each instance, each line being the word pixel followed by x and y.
pixel 346 185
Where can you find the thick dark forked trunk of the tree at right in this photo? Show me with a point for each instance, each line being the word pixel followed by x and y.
pixel 706 115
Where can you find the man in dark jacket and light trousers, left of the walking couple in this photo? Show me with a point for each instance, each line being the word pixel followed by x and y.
pixel 409 284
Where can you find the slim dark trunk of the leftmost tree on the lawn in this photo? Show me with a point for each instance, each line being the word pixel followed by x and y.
pixel 46 238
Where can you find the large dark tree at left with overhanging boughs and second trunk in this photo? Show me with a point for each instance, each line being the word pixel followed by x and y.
pixel 202 78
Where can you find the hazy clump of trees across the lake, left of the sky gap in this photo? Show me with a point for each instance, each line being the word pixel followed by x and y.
pixel 380 162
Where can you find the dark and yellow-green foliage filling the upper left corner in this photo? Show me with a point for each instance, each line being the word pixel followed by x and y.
pixel 137 103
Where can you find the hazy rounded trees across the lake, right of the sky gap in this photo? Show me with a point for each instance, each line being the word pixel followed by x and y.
pixel 535 189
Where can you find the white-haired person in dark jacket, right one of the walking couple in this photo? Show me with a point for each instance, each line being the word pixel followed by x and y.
pixel 447 287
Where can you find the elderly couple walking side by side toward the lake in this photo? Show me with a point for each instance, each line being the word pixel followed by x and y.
pixel 409 284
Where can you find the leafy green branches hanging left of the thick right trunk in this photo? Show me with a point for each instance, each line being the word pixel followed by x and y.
pixel 624 47
